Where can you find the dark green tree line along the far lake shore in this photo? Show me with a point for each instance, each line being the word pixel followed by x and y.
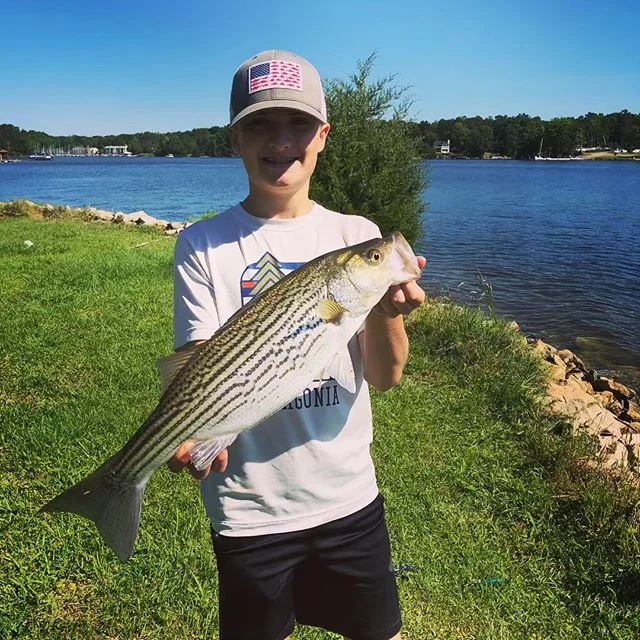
pixel 519 136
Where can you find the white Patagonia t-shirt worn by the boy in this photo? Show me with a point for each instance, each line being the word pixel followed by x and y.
pixel 310 463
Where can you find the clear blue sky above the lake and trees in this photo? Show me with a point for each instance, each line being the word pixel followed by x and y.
pixel 102 67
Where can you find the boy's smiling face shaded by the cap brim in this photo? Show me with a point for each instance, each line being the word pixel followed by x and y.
pixel 279 148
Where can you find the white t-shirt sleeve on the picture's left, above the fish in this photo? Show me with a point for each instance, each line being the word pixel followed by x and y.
pixel 195 316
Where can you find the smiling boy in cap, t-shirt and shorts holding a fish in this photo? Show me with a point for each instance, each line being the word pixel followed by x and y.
pixel 297 521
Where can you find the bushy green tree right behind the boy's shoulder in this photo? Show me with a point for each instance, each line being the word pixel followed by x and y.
pixel 371 165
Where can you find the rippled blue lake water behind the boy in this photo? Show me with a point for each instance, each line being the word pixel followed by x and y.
pixel 559 243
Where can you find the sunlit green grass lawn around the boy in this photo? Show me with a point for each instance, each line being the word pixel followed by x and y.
pixel 478 482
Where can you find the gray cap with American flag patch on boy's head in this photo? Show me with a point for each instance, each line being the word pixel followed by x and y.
pixel 276 78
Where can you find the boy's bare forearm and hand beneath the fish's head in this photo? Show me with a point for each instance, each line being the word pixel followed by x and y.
pixel 384 344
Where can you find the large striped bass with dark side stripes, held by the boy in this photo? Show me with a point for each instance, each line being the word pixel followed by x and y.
pixel 261 359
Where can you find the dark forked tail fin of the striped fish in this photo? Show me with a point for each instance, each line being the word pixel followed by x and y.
pixel 113 507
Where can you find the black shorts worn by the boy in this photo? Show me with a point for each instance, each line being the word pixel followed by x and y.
pixel 337 576
